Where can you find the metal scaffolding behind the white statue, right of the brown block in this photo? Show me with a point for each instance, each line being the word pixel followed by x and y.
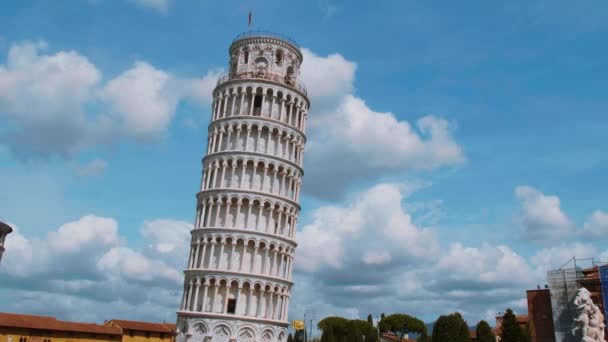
pixel 563 284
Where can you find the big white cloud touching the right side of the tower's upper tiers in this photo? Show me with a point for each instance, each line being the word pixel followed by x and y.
pixel 349 137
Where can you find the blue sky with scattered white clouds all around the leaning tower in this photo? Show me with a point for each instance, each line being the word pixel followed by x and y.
pixel 452 148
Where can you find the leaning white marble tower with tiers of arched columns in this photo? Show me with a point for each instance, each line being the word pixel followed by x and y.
pixel 239 275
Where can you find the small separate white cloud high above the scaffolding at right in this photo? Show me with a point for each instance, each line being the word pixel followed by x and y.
pixel 542 217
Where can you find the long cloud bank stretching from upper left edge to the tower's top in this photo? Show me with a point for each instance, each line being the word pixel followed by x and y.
pixel 57 104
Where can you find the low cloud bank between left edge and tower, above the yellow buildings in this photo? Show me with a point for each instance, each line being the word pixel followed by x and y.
pixel 87 264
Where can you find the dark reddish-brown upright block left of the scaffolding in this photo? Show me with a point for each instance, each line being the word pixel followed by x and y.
pixel 540 315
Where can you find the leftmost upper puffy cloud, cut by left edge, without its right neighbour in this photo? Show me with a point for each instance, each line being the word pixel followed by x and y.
pixel 42 97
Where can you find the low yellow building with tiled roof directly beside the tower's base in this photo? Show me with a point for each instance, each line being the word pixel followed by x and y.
pixel 134 331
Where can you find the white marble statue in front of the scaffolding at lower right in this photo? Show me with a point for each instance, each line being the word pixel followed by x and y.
pixel 590 320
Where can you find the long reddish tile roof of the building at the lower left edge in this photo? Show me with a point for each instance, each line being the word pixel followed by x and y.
pixel 52 323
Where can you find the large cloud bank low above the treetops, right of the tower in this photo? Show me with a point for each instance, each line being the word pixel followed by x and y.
pixel 370 249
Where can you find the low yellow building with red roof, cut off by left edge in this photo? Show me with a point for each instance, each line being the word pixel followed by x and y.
pixel 30 328
